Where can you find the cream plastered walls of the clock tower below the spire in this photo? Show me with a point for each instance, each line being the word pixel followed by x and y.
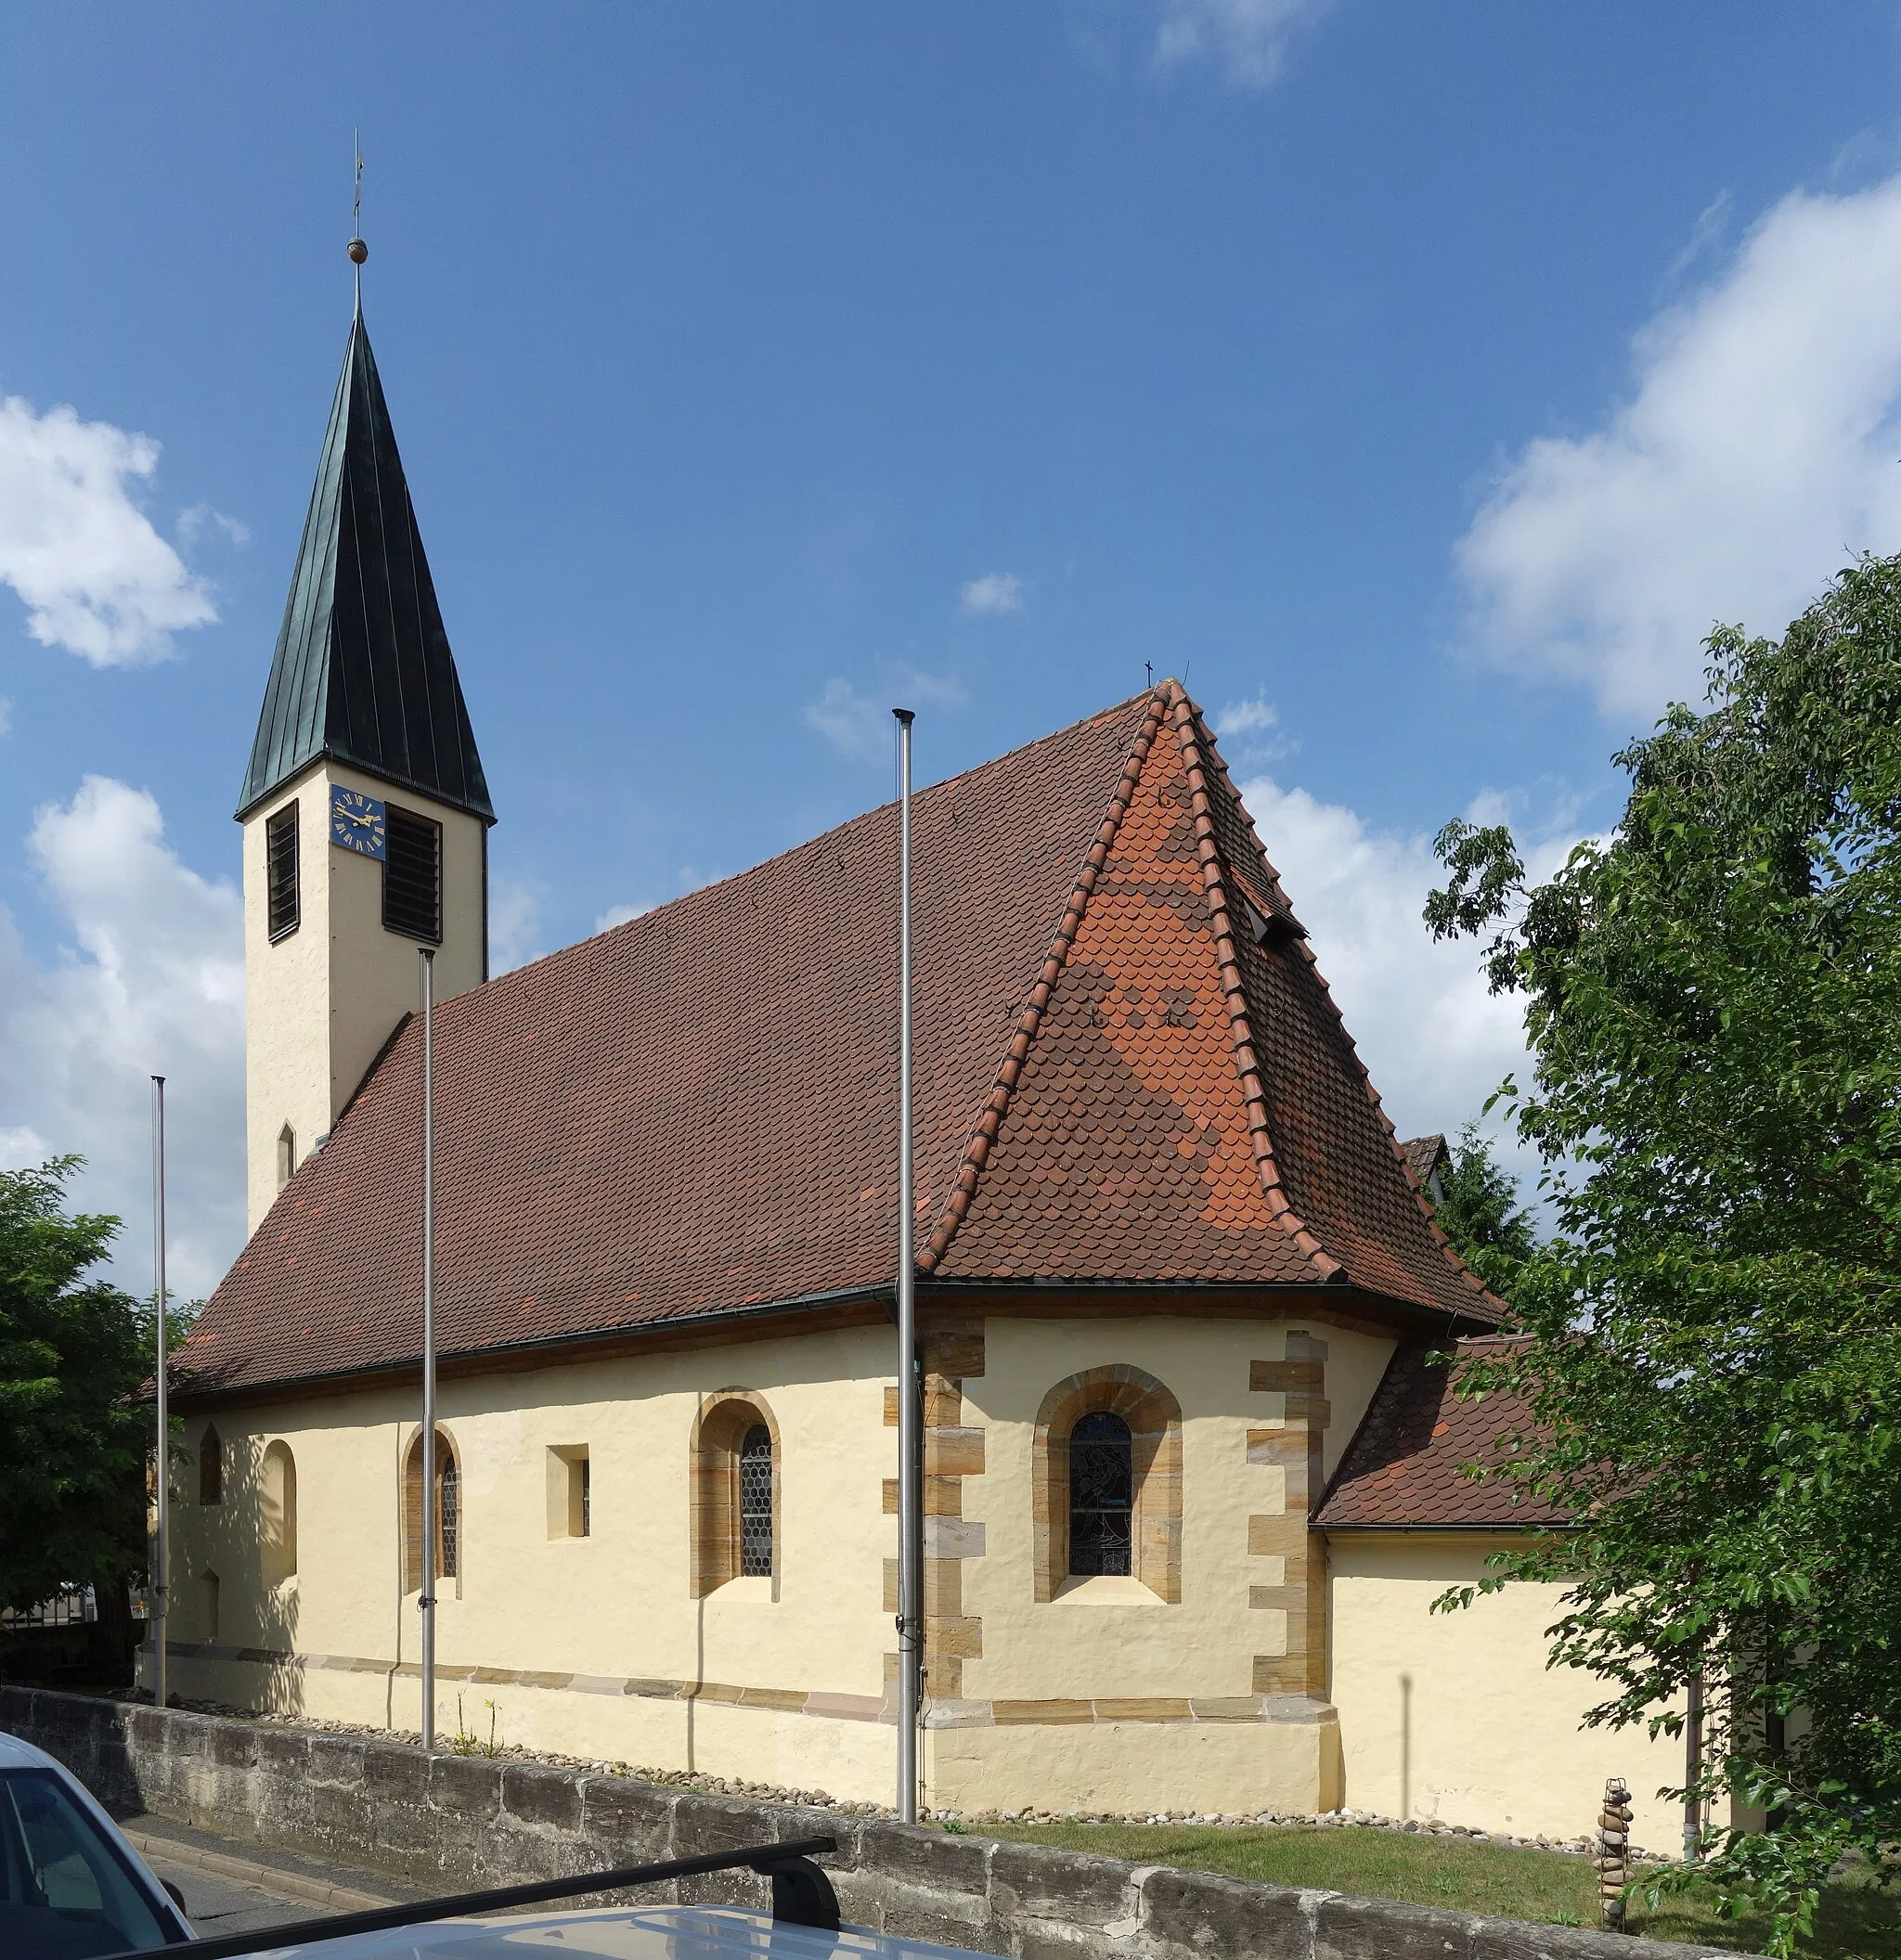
pixel 322 1001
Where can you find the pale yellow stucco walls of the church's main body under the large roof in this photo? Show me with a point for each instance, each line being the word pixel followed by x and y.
pixel 589 1616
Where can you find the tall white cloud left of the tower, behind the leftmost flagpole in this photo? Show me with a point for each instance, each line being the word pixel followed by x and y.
pixel 150 981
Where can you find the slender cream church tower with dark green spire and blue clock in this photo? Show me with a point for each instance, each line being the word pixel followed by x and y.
pixel 366 808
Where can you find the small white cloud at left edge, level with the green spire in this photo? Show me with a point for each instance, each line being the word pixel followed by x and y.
pixel 97 579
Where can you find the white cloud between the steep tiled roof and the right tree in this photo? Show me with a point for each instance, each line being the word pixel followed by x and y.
pixel 1434 1040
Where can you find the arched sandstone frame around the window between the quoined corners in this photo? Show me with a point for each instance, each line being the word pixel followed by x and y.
pixel 1155 1428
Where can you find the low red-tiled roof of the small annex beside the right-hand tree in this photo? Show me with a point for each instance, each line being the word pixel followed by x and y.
pixel 1406 1467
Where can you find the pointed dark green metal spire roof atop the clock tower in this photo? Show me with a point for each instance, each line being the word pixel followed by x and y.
pixel 364 669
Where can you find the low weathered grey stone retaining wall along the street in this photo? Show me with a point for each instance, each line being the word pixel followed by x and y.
pixel 465 1822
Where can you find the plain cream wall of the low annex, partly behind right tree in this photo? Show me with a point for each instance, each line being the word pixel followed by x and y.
pixel 1457 1716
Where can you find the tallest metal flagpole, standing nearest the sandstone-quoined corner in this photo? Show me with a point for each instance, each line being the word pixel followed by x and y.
pixel 910 1483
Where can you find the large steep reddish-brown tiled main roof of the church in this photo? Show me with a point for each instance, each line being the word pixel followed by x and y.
pixel 1128 1071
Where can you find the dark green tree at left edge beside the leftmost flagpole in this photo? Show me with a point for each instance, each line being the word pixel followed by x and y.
pixel 73 1444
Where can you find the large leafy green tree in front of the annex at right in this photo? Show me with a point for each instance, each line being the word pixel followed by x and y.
pixel 1714 1334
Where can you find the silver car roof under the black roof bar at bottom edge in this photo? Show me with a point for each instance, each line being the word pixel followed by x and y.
pixel 618 1934
